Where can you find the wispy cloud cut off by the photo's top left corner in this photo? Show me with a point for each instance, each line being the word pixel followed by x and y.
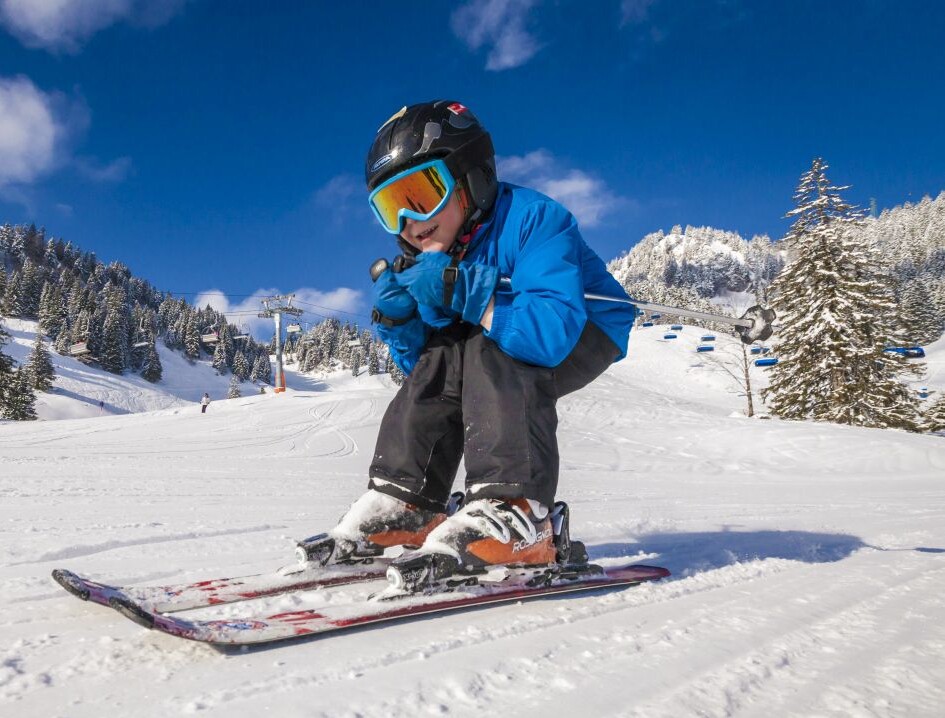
pixel 65 24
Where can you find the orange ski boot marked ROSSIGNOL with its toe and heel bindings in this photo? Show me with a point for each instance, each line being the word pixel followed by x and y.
pixel 486 541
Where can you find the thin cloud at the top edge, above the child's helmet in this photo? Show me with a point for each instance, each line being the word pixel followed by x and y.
pixel 500 25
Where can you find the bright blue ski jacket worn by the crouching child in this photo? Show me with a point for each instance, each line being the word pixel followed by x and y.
pixel 538 319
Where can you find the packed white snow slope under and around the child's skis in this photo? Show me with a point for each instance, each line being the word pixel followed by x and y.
pixel 808 560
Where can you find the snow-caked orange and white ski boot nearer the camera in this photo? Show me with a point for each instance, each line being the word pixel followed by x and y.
pixel 484 533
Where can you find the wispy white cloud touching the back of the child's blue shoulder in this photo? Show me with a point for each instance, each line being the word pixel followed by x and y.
pixel 588 198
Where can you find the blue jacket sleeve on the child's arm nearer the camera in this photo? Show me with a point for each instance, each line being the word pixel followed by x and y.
pixel 540 320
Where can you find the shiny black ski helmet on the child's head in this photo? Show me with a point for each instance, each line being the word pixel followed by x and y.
pixel 439 129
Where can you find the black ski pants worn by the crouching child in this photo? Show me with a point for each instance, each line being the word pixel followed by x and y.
pixel 466 397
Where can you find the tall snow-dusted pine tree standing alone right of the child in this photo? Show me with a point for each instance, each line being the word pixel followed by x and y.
pixel 835 310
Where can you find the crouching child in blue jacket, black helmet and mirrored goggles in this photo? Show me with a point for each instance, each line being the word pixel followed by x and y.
pixel 485 359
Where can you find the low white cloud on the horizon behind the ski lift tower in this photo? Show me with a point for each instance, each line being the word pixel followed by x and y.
pixel 342 302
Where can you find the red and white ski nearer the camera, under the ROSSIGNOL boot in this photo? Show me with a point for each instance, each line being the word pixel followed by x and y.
pixel 306 623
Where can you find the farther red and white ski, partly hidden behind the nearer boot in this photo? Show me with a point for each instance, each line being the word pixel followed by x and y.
pixel 213 592
